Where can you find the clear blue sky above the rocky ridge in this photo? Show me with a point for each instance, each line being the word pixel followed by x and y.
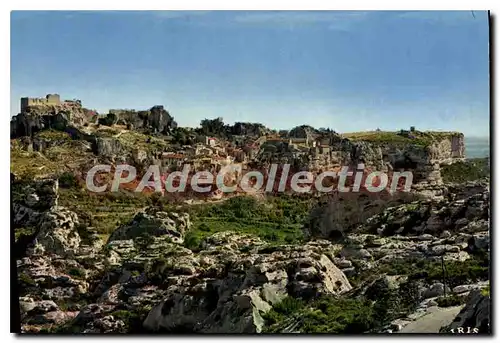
pixel 349 71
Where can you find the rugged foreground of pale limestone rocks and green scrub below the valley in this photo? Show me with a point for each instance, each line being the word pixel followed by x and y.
pixel 380 277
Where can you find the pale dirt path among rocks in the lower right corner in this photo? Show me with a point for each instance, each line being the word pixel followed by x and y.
pixel 432 322
